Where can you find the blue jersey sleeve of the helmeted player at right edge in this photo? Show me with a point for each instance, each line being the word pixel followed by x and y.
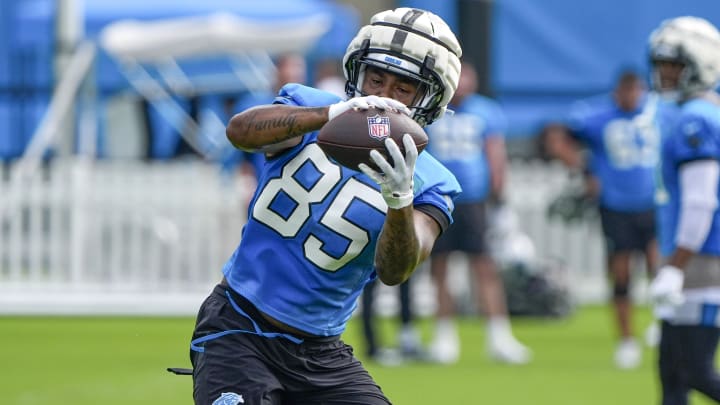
pixel 694 139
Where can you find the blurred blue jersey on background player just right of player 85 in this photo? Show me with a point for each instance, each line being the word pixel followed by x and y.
pixel 458 140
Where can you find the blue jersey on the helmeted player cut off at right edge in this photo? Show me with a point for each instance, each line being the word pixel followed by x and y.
pixel 695 136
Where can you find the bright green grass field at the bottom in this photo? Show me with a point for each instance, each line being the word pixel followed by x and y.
pixel 112 361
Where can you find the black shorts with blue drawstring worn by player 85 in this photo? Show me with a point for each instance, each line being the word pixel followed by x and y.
pixel 270 368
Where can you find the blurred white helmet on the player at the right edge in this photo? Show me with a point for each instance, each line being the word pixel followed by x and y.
pixel 692 42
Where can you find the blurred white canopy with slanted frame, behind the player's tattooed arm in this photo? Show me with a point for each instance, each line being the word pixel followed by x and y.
pixel 247 45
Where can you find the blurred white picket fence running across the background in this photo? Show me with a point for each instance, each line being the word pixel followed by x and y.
pixel 151 238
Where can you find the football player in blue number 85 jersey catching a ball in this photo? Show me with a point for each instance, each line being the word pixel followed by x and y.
pixel 317 232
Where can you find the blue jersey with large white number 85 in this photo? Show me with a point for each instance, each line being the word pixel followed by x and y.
pixel 307 250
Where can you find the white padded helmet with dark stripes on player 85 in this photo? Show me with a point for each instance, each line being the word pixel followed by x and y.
pixel 413 43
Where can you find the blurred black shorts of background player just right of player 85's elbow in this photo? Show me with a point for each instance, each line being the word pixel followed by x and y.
pixel 467 233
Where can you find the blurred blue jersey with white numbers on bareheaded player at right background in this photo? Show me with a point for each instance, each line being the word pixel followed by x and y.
pixel 624 149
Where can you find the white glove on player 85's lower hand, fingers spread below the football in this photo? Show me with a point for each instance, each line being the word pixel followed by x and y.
pixel 396 183
